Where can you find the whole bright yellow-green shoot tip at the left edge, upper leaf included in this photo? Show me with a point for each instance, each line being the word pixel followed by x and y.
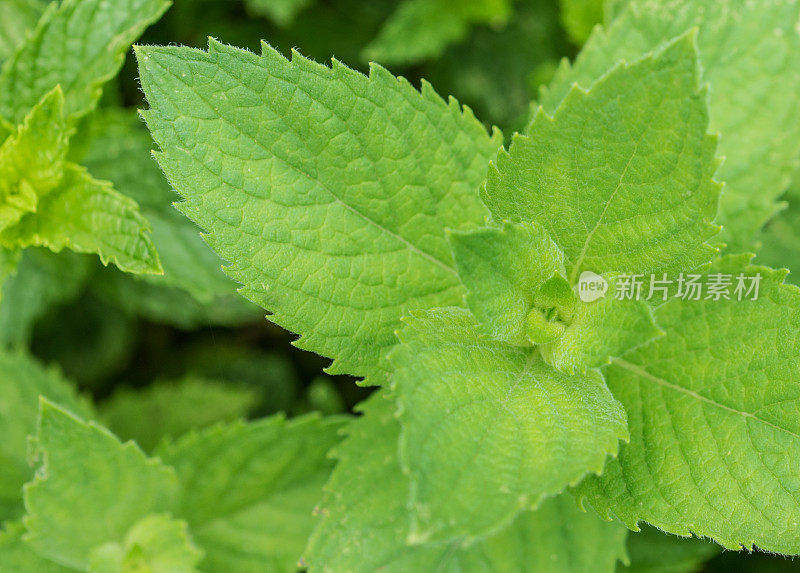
pixel 47 201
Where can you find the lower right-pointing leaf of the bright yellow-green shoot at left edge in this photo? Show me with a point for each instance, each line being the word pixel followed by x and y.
pixel 88 216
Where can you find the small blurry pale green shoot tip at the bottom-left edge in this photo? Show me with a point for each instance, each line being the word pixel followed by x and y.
pixel 155 543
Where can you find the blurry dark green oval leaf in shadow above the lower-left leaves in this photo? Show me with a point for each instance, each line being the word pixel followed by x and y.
pixel 172 408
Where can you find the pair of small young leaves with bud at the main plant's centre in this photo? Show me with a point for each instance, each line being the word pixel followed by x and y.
pixel 515 289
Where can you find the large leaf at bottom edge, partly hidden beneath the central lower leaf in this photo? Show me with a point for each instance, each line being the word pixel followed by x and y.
pixel 364 525
